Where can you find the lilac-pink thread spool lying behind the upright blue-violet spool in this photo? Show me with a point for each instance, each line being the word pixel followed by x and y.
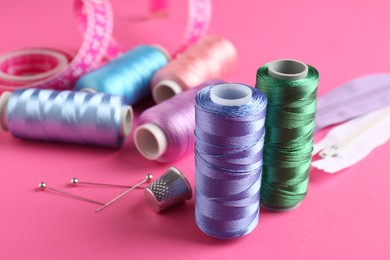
pixel 165 132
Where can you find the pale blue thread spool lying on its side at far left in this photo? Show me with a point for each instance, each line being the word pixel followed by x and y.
pixel 74 117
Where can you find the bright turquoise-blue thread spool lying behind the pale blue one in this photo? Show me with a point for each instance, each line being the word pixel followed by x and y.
pixel 129 75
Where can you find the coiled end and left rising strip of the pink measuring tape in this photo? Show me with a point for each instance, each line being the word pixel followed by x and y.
pixel 18 66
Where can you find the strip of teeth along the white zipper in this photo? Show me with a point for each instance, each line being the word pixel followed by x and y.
pixel 377 119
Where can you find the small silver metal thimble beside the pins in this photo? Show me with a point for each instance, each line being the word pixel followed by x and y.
pixel 168 190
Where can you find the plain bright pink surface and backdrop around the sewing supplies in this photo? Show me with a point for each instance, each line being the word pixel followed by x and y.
pixel 345 216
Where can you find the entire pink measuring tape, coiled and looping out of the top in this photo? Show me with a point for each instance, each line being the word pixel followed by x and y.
pixel 55 69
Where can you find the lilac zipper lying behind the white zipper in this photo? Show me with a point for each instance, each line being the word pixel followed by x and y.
pixel 355 98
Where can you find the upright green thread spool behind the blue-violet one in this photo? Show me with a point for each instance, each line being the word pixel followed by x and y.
pixel 291 89
